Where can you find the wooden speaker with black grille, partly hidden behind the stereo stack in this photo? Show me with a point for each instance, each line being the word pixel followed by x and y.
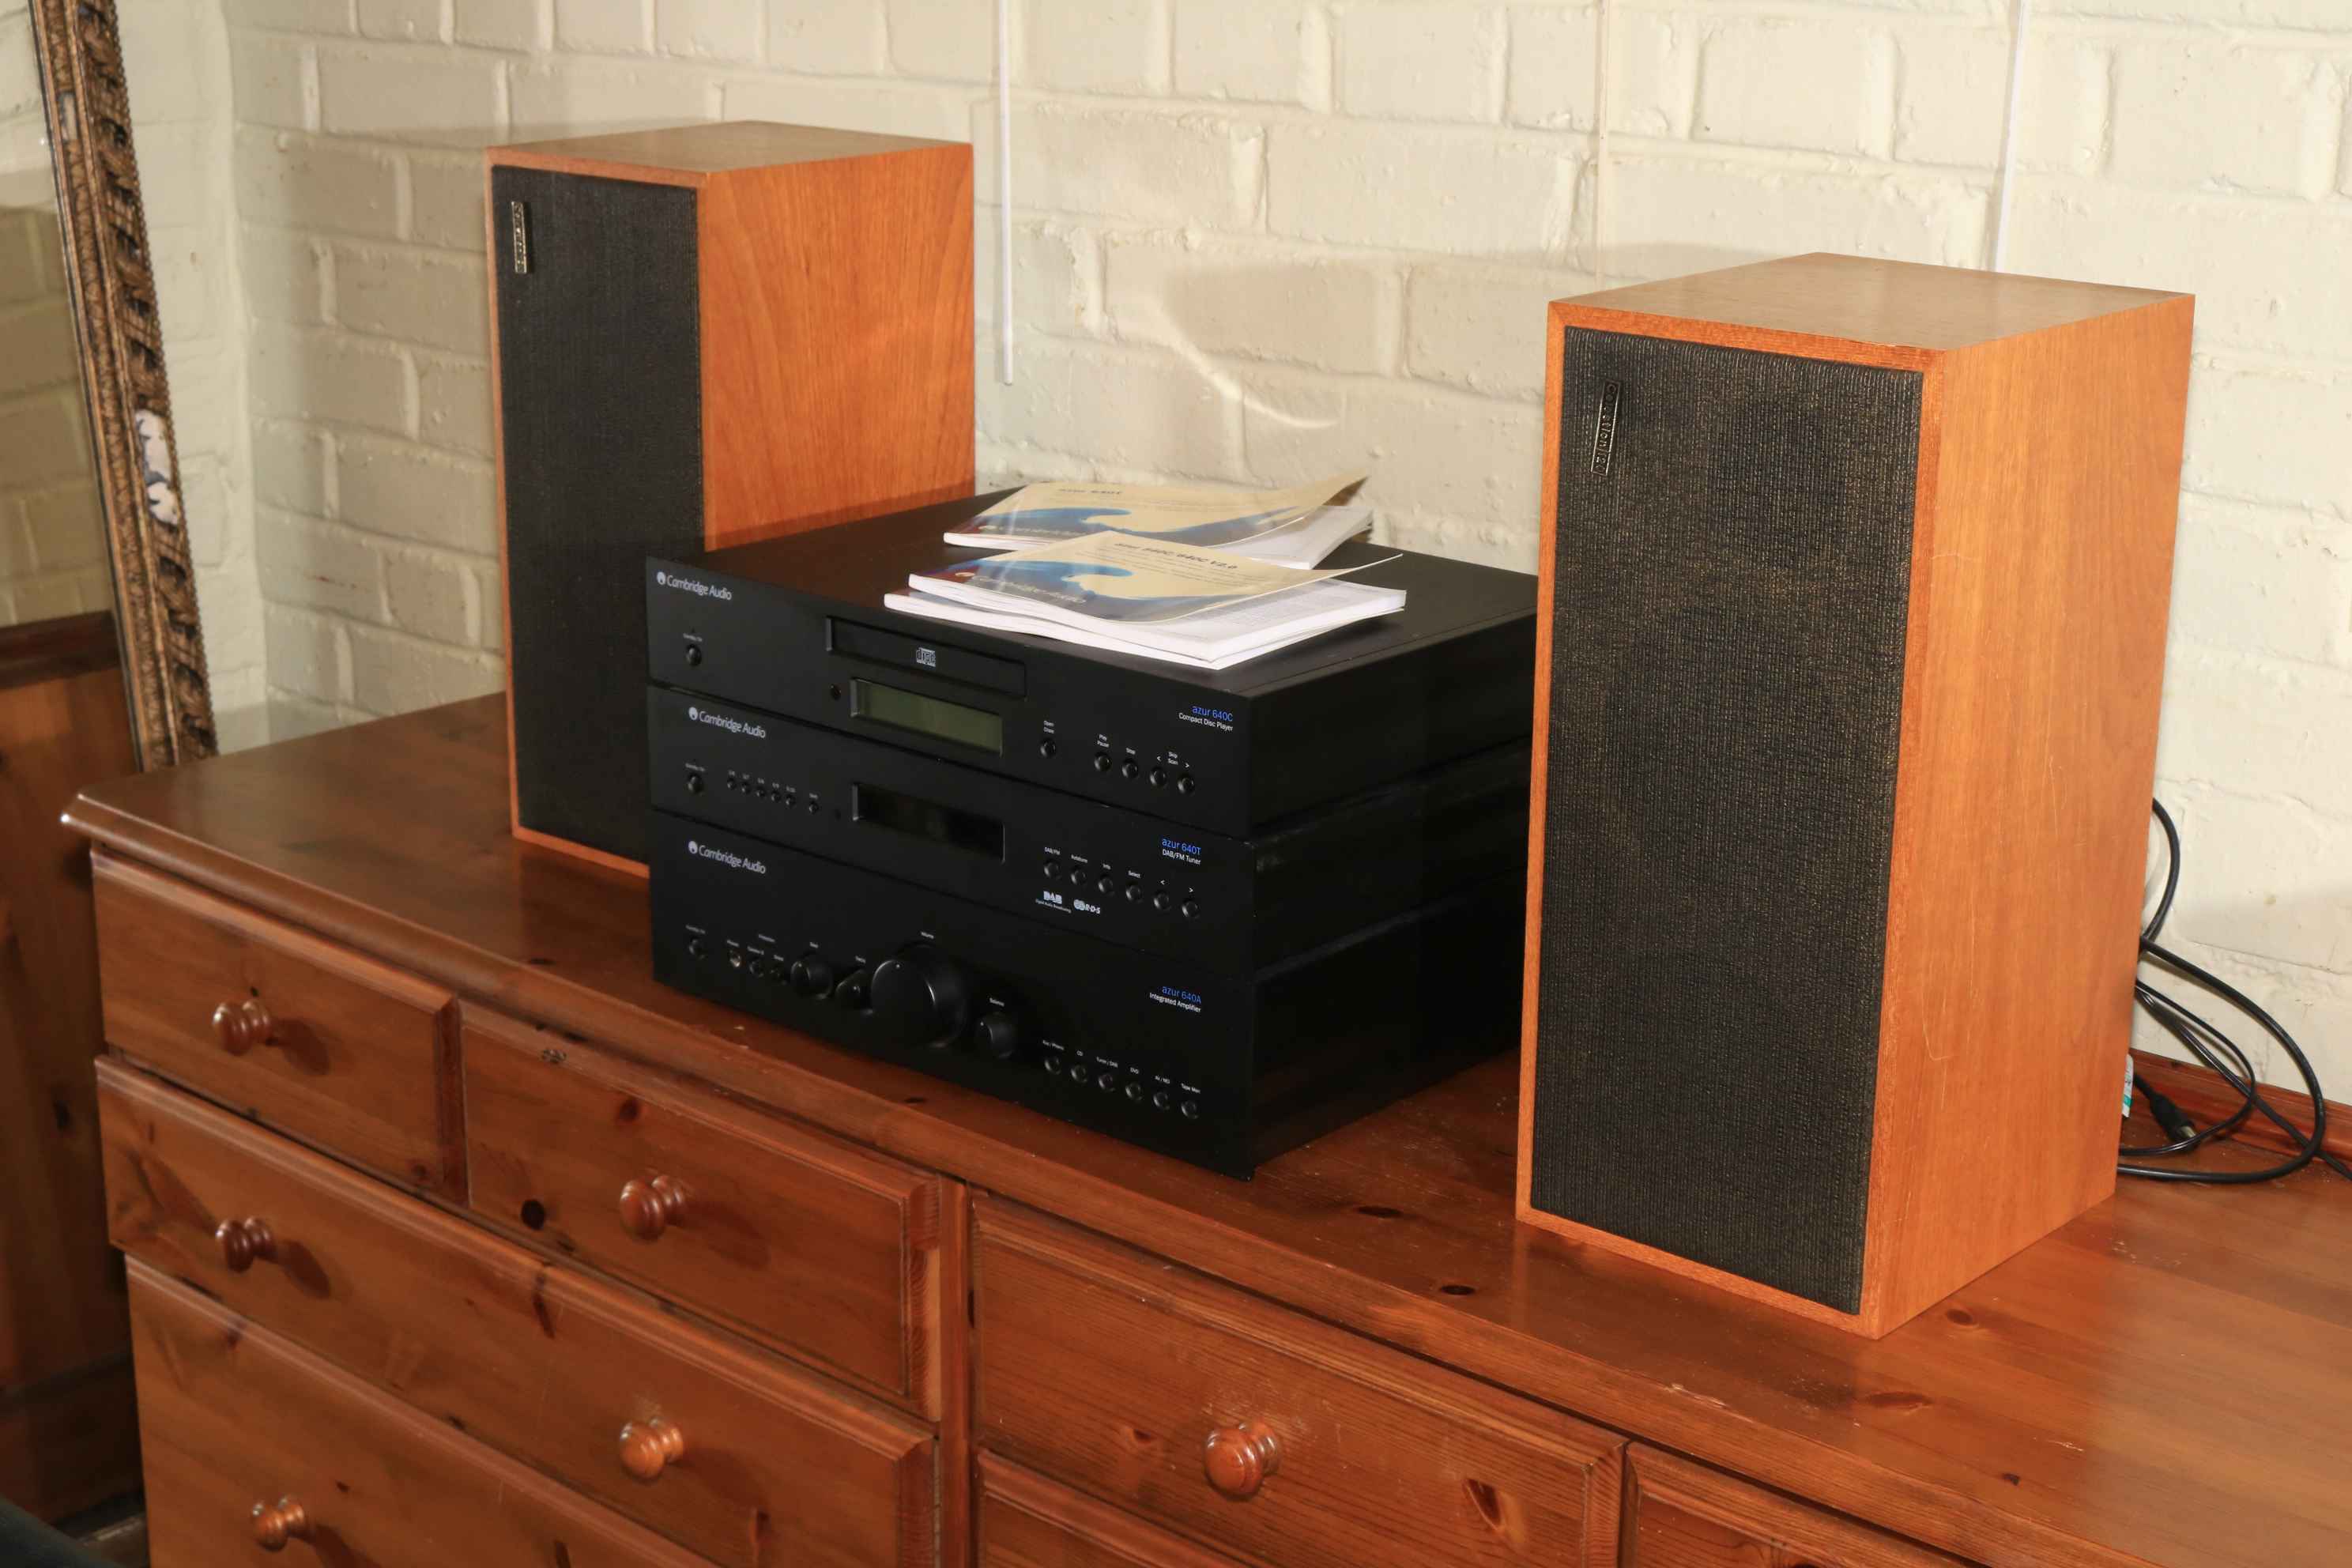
pixel 700 337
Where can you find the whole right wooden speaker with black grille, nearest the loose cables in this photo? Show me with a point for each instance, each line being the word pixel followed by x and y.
pixel 1850 648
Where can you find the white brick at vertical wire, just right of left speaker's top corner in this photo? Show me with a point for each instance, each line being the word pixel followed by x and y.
pixel 1132 166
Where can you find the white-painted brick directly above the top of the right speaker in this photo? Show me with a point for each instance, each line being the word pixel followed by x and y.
pixel 1676 217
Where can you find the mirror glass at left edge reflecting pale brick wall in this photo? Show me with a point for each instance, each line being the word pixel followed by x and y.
pixel 53 542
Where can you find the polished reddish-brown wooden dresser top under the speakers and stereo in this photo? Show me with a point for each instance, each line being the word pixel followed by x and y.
pixel 2165 1381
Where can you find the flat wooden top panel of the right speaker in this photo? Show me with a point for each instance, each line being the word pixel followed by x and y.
pixel 1857 309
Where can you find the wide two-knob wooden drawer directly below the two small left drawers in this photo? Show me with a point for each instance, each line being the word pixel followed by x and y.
pixel 563 1374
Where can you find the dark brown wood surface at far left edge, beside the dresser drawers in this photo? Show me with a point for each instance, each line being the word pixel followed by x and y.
pixel 67 1433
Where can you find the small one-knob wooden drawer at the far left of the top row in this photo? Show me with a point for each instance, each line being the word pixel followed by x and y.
pixel 328 1045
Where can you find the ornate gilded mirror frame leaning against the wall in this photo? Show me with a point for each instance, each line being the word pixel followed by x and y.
pixel 123 380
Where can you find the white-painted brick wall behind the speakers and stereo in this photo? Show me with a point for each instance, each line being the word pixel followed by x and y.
pixel 1267 239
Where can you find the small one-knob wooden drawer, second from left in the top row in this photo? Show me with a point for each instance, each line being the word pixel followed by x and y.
pixel 787 1235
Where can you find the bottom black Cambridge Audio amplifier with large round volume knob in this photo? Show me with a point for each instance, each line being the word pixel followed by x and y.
pixel 1187 1059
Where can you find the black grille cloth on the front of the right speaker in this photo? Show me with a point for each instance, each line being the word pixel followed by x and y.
pixel 1728 692
